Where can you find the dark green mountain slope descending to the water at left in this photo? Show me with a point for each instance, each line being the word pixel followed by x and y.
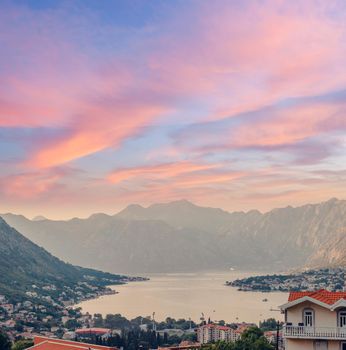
pixel 25 267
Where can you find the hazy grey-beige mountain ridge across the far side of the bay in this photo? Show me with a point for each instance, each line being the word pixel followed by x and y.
pixel 181 236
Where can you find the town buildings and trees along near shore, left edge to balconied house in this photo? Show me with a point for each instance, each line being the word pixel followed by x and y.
pixel 28 321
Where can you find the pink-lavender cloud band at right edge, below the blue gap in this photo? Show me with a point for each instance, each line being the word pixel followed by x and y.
pixel 287 126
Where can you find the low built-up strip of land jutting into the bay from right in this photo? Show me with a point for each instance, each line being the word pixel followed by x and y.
pixel 332 279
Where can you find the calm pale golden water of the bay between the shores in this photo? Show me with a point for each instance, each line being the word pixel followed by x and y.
pixel 187 295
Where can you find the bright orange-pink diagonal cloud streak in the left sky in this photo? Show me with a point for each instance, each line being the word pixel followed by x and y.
pixel 100 128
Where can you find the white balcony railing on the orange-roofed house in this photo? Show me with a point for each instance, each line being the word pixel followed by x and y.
pixel 314 332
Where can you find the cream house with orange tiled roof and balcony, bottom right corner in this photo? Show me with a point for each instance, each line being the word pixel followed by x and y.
pixel 315 321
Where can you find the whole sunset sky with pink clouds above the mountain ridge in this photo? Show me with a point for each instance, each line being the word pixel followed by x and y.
pixel 232 104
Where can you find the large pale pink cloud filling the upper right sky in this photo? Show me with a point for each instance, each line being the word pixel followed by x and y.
pixel 267 52
